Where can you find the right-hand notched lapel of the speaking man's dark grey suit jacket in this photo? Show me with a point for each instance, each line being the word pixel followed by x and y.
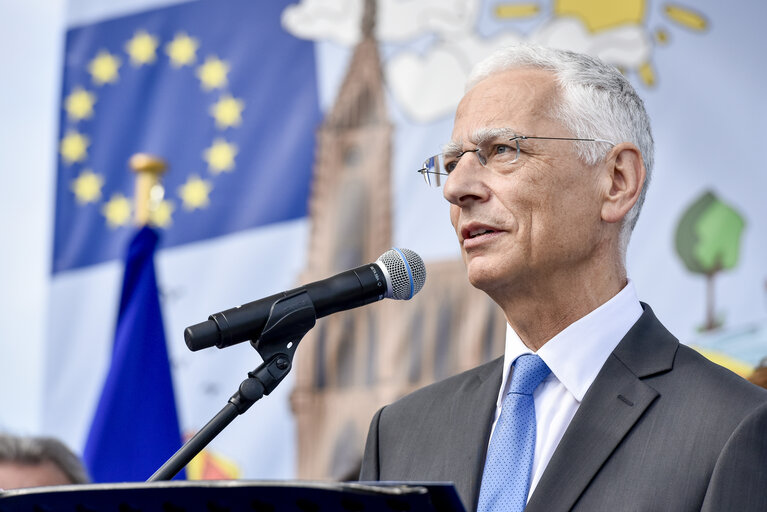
pixel 616 400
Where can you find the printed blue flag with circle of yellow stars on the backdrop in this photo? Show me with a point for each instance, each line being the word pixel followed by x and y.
pixel 216 88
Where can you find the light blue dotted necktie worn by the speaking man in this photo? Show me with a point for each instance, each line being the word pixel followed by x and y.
pixel 509 462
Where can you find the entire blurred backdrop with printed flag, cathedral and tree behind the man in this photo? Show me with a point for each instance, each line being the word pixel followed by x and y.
pixel 292 132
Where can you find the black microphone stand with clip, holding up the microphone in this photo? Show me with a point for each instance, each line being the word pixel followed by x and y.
pixel 289 320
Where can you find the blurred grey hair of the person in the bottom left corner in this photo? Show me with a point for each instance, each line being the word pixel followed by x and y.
pixel 37 450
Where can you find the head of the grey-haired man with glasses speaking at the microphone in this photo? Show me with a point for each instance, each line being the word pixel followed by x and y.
pixel 546 172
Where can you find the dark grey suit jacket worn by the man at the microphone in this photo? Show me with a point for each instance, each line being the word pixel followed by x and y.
pixel 661 428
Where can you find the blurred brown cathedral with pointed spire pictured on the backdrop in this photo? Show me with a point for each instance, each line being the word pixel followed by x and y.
pixel 354 362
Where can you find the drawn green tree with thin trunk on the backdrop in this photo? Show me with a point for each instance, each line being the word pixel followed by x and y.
pixel 708 241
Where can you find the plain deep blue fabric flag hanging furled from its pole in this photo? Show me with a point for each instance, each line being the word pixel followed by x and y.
pixel 135 428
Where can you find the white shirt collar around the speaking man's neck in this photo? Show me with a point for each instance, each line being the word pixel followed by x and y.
pixel 578 352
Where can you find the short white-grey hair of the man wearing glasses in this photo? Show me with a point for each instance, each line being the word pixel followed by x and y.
pixel 597 102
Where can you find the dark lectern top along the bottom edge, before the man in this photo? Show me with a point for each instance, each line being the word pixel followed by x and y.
pixel 236 496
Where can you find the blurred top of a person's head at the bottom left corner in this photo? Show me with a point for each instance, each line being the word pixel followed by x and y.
pixel 37 462
